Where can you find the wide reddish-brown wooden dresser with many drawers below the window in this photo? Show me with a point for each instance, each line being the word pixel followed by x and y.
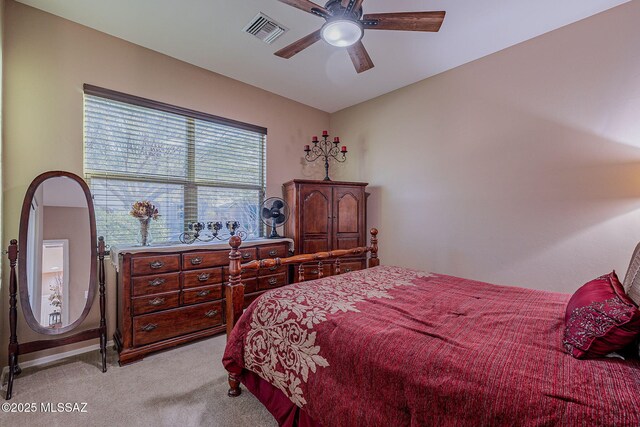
pixel 170 298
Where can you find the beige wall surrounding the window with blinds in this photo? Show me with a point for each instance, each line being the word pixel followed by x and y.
pixel 47 60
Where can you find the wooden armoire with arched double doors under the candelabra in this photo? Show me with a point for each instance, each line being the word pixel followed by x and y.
pixel 327 215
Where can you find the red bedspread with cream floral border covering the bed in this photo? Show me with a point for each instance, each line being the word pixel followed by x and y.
pixel 390 346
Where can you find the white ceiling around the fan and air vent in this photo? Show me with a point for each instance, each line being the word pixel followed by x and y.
pixel 208 33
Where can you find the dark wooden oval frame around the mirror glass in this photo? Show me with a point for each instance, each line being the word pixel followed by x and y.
pixel 22 254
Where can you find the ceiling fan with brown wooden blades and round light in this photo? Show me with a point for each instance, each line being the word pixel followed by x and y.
pixel 346 24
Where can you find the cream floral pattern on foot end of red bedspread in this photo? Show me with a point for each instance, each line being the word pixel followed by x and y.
pixel 281 344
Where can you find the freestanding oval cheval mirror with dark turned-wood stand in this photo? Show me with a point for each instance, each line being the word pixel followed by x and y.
pixel 57 260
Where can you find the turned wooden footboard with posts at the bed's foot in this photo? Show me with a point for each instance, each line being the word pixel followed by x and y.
pixel 234 291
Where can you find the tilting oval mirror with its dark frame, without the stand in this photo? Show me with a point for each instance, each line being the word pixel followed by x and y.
pixel 57 258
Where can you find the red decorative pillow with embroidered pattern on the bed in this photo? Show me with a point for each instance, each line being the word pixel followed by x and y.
pixel 600 319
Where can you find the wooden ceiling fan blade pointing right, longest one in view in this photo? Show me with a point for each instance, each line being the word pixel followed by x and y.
pixel 404 21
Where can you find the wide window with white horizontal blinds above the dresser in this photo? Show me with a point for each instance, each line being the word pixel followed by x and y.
pixel 192 166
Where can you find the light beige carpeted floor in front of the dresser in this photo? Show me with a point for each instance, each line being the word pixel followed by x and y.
pixel 186 386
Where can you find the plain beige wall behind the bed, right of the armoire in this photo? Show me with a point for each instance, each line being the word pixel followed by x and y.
pixel 520 168
